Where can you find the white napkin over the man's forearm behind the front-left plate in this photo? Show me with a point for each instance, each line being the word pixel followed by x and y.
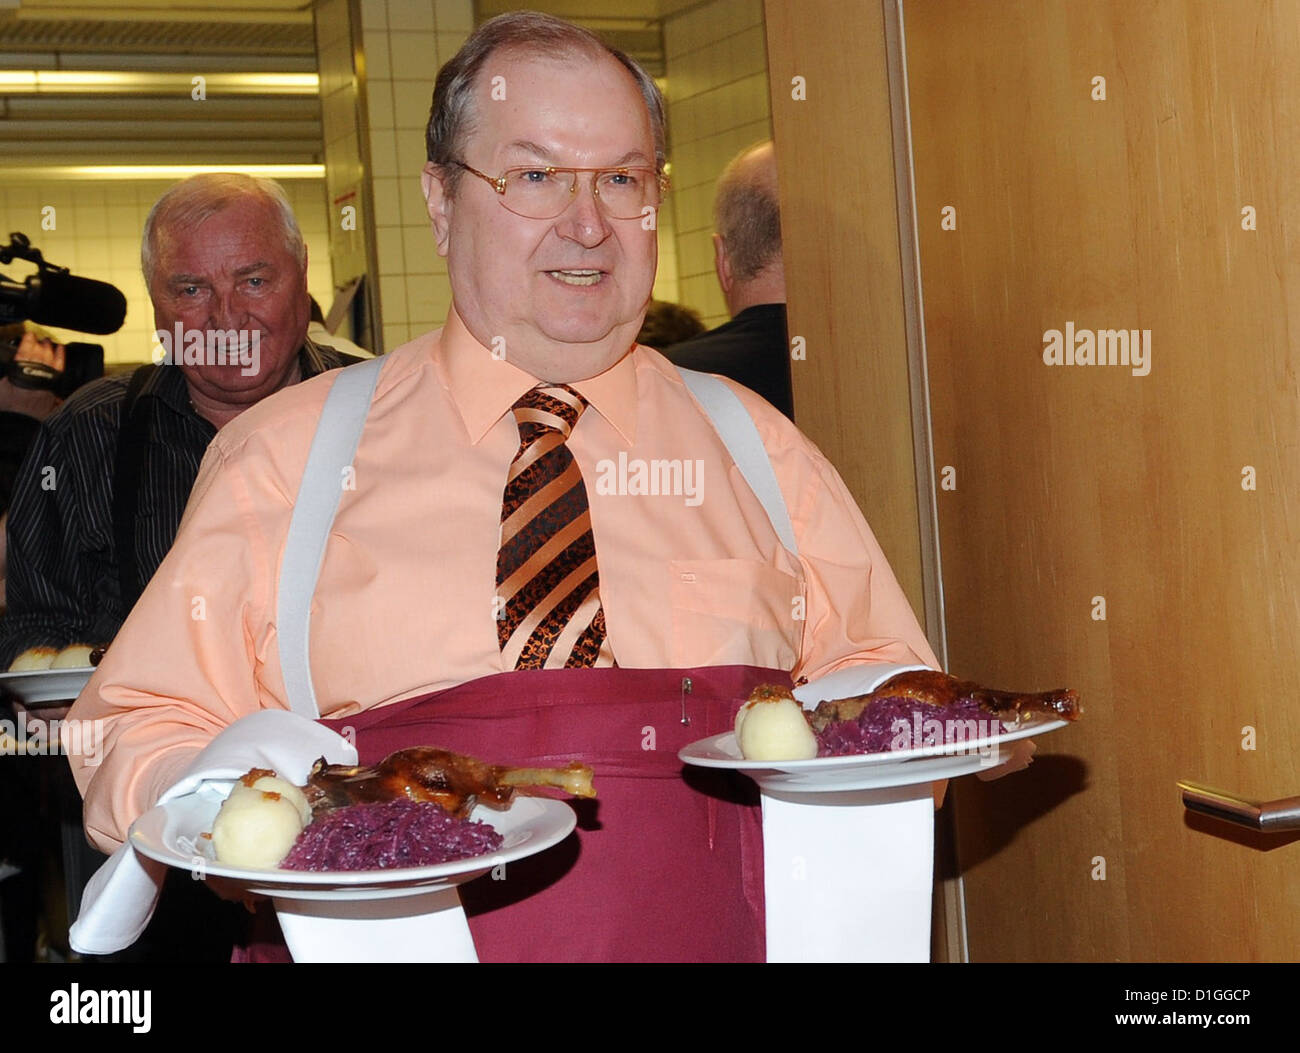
pixel 120 898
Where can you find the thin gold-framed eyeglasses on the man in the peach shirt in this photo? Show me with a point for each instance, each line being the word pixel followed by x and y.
pixel 544 193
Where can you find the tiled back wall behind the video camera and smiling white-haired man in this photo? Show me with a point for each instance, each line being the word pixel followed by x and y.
pixel 98 231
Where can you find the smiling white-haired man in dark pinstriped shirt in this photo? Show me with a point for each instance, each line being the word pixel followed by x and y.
pixel 101 495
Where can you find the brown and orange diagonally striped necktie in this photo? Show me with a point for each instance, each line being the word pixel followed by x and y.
pixel 547 578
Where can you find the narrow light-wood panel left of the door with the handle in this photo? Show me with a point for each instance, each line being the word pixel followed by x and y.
pixel 840 131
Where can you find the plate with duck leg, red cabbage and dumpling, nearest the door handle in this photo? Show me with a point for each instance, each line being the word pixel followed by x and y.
pixel 917 727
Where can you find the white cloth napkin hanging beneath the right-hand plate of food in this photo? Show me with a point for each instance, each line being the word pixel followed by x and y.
pixel 848 874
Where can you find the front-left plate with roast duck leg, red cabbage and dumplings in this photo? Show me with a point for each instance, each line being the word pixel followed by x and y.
pixel 362 833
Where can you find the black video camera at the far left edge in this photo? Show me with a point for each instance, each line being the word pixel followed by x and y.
pixel 55 297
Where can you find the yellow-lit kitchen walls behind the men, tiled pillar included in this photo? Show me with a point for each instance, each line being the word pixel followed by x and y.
pixel 375 105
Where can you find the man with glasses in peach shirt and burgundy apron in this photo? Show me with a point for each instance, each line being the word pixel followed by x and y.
pixel 543 549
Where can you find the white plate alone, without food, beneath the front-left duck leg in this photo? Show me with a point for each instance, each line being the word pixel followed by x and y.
pixel 171 835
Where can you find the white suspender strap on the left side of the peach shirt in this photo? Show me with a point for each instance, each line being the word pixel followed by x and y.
pixel 333 448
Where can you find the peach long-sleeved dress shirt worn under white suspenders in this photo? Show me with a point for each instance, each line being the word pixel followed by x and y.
pixel 406 601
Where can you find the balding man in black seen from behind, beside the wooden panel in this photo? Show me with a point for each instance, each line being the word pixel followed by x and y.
pixel 752 348
